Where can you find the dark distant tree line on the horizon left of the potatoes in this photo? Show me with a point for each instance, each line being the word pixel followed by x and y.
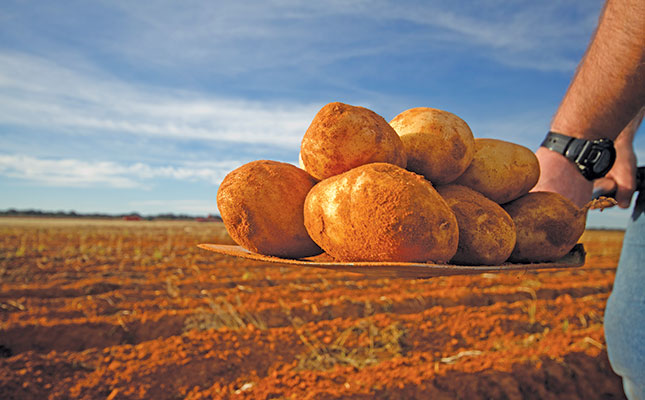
pixel 12 212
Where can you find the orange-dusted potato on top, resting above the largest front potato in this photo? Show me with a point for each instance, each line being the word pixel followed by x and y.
pixel 342 137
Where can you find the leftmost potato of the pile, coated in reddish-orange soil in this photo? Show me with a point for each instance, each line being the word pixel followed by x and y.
pixel 261 204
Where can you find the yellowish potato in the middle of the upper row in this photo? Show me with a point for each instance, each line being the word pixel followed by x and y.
pixel 439 145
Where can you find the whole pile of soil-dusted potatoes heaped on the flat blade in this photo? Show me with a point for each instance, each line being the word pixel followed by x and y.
pixel 418 189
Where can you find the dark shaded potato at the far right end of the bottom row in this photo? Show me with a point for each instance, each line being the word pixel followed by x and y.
pixel 548 226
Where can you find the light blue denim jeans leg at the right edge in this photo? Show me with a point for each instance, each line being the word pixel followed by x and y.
pixel 625 311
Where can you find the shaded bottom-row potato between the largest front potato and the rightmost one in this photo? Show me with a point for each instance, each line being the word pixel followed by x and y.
pixel 486 231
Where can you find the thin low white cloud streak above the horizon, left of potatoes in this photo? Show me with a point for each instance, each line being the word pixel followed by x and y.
pixel 78 173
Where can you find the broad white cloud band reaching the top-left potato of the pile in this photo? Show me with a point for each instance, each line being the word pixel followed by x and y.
pixel 40 93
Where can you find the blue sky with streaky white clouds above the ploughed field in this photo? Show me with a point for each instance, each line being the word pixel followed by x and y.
pixel 119 106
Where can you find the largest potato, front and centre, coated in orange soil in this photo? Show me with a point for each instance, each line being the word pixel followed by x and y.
pixel 381 212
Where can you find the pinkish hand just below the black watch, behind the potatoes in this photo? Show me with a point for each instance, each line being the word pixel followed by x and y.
pixel 557 174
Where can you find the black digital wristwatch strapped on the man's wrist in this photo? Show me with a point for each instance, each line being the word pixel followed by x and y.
pixel 594 158
